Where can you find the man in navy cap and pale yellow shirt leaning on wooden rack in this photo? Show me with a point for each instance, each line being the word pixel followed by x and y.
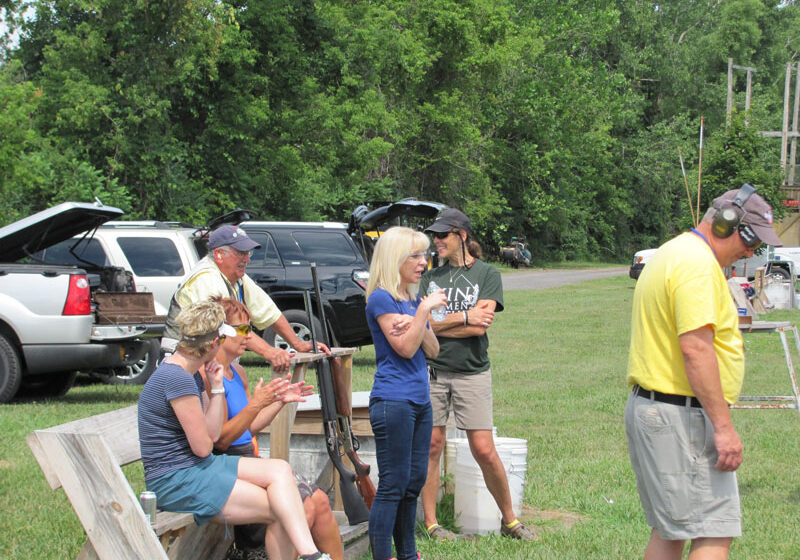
pixel 223 273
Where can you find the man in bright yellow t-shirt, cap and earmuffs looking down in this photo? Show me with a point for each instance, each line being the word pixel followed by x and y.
pixel 686 367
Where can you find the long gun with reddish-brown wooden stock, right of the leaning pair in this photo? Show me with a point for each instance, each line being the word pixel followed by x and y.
pixel 349 441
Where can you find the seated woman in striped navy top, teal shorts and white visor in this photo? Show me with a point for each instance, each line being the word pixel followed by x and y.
pixel 179 423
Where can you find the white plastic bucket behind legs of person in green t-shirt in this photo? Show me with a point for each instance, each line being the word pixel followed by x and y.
pixel 475 509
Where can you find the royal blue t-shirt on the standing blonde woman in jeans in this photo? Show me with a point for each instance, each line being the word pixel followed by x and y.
pixel 397 378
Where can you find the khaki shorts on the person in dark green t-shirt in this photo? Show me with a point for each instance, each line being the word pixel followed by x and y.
pixel 469 395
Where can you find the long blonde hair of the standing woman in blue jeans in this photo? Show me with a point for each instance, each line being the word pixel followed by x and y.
pixel 392 248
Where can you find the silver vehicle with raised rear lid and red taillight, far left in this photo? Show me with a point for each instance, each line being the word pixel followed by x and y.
pixel 49 329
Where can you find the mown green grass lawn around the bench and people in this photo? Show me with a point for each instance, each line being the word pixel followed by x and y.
pixel 559 360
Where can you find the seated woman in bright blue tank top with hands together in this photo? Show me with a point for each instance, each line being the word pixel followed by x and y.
pixel 248 415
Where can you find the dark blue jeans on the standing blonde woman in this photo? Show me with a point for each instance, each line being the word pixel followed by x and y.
pixel 402 443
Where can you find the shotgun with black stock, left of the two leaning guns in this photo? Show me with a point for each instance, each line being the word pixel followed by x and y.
pixel 354 507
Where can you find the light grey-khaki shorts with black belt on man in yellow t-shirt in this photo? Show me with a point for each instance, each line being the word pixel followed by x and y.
pixel 673 455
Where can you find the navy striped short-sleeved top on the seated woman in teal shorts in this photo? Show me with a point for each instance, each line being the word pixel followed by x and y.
pixel 163 442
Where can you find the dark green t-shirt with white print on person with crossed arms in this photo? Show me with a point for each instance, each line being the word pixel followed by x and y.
pixel 464 287
